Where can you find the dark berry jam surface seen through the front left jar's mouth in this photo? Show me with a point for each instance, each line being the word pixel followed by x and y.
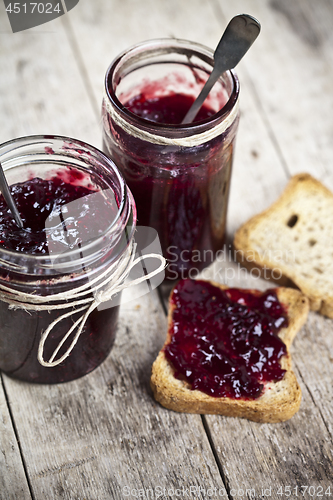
pixel 39 203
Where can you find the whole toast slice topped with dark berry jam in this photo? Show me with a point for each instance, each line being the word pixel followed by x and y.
pixel 267 401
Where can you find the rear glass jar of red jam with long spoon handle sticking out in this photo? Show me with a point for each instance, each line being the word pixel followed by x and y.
pixel 179 174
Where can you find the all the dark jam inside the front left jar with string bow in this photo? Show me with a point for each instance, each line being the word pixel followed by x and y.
pixel 41 204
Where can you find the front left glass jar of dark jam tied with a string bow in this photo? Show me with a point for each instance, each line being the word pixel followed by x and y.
pixel 33 285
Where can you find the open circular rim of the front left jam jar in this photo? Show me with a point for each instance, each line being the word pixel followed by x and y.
pixel 93 154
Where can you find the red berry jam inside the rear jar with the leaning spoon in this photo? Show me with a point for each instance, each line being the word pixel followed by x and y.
pixel 182 192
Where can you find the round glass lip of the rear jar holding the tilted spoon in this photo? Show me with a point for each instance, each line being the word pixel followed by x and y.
pixel 159 128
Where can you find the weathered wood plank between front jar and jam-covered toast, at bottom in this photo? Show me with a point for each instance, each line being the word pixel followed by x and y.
pixel 103 435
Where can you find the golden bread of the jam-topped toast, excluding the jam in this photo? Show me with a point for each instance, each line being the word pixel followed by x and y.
pixel 279 400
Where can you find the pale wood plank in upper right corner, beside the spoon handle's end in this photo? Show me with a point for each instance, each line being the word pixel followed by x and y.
pixel 291 70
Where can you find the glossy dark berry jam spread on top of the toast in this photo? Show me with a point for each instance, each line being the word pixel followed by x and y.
pixel 225 343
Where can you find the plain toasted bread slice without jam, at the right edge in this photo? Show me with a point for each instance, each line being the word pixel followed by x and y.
pixel 292 241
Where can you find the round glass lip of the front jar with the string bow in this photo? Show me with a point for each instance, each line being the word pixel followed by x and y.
pixel 29 140
